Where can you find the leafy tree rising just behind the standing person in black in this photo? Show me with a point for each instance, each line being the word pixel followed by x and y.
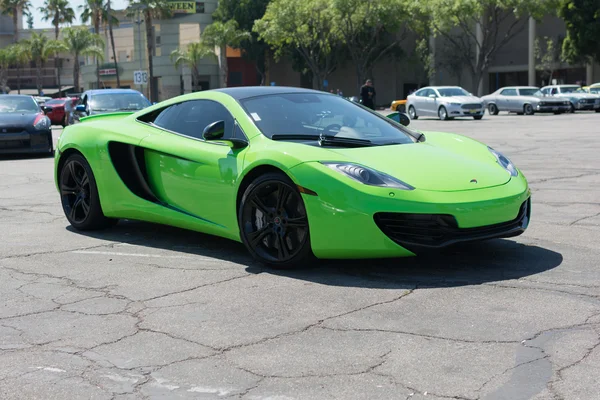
pixel 370 30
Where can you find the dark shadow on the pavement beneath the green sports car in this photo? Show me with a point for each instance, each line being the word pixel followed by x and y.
pixel 466 264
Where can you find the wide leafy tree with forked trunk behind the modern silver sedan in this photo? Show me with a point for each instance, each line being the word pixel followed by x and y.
pixel 498 22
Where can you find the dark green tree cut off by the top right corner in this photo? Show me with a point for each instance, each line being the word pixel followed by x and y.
pixel 582 19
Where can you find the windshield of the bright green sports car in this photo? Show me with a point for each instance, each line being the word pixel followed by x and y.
pixel 294 116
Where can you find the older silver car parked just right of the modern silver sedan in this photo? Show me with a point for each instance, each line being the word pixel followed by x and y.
pixel 524 100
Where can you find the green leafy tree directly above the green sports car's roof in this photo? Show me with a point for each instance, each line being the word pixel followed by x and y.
pixel 307 26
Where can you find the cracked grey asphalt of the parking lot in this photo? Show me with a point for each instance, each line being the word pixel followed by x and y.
pixel 142 311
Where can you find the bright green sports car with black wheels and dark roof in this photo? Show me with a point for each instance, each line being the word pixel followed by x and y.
pixel 292 173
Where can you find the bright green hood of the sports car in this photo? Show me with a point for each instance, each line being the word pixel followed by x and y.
pixel 444 162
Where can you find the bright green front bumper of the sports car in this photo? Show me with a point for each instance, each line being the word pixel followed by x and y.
pixel 343 216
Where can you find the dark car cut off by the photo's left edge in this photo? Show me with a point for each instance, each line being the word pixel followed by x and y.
pixel 23 126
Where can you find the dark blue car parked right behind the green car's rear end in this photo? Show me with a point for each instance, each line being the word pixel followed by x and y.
pixel 102 101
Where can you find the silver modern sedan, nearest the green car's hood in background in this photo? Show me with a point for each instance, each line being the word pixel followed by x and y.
pixel 446 102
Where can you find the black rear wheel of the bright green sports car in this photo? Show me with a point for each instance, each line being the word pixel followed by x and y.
pixel 79 195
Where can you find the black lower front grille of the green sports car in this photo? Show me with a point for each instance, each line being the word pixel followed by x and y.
pixel 440 230
